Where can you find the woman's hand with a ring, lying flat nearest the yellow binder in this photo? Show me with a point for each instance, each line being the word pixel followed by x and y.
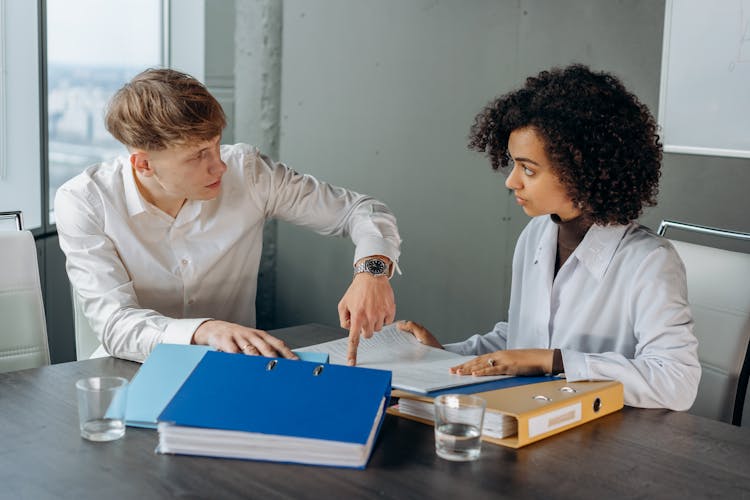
pixel 522 362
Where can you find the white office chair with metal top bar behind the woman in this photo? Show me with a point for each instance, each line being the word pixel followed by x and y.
pixel 719 295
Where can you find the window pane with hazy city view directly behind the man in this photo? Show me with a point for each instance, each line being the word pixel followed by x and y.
pixel 89 57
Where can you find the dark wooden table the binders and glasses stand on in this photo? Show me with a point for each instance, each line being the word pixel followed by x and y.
pixel 633 453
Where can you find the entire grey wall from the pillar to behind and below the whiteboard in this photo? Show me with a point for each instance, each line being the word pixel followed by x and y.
pixel 379 97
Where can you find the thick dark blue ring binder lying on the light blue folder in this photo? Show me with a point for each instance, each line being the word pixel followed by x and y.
pixel 257 408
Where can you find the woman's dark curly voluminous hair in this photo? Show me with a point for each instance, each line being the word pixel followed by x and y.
pixel 601 139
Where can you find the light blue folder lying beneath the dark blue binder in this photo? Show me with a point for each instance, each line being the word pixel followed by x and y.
pixel 162 375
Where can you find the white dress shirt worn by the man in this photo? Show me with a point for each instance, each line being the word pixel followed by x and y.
pixel 145 278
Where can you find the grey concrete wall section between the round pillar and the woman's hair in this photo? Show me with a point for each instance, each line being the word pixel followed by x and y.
pixel 379 97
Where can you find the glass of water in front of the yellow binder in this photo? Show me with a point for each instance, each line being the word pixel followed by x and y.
pixel 458 426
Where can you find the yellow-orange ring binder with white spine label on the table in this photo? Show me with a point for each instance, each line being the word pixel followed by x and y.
pixel 521 415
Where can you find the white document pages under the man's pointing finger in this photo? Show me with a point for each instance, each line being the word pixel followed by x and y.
pixel 415 367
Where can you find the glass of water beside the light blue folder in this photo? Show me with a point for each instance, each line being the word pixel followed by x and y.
pixel 101 407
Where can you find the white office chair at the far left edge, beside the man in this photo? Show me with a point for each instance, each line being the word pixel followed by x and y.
pixel 23 330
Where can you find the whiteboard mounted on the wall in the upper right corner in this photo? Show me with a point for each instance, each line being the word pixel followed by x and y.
pixel 704 98
